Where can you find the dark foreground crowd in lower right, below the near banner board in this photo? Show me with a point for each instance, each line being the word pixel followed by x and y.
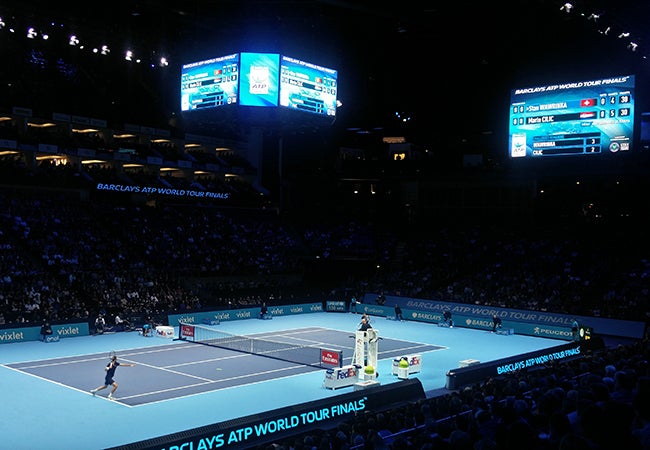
pixel 596 402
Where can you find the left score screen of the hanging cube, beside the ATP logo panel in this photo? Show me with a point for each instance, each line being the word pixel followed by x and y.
pixel 210 83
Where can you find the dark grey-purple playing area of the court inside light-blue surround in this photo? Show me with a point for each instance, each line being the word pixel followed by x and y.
pixel 171 371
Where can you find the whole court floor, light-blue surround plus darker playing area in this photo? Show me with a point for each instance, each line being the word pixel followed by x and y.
pixel 177 385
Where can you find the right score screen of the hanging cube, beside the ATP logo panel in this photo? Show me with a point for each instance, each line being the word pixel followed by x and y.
pixel 307 87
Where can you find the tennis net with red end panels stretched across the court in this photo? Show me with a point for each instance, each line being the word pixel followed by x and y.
pixel 308 355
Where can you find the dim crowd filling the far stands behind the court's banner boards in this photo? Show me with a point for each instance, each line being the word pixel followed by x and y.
pixel 66 257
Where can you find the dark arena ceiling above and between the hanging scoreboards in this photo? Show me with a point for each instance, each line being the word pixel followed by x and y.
pixel 429 60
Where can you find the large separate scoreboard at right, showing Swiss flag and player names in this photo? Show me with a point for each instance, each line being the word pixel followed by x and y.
pixel 592 117
